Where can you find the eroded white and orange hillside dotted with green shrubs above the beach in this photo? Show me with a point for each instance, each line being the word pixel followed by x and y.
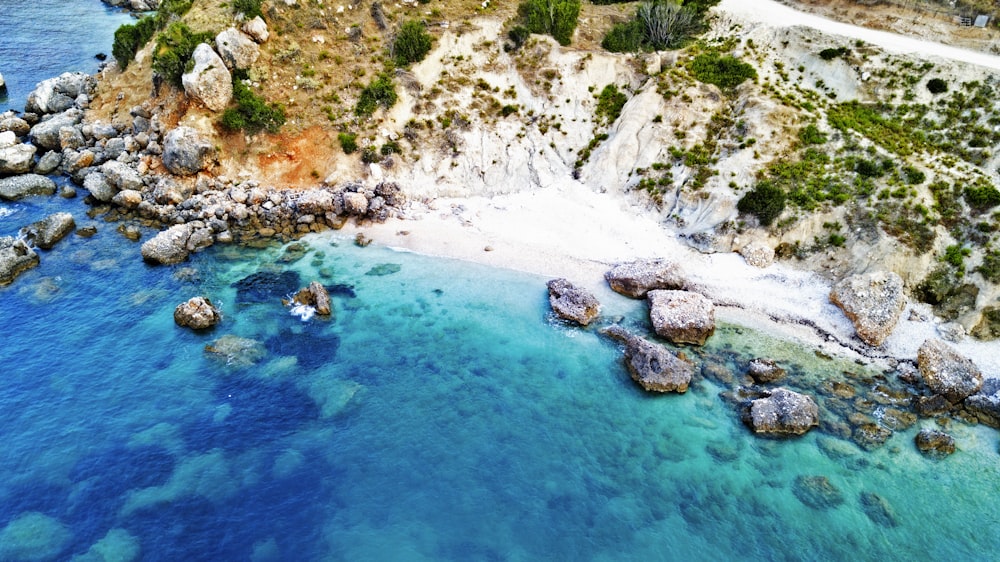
pixel 476 118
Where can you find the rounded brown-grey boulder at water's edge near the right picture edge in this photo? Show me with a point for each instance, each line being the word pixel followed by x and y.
pixel 946 372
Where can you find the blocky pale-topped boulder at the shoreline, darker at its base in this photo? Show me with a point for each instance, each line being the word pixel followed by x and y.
pixel 681 316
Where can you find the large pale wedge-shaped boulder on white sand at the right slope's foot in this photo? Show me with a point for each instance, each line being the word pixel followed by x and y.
pixel 873 302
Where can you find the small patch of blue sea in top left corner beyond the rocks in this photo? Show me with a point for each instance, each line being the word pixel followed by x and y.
pixel 40 39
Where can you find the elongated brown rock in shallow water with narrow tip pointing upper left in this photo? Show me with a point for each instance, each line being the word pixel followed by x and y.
pixel 653 366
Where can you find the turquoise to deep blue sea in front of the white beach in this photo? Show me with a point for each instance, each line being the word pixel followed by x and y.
pixel 441 415
